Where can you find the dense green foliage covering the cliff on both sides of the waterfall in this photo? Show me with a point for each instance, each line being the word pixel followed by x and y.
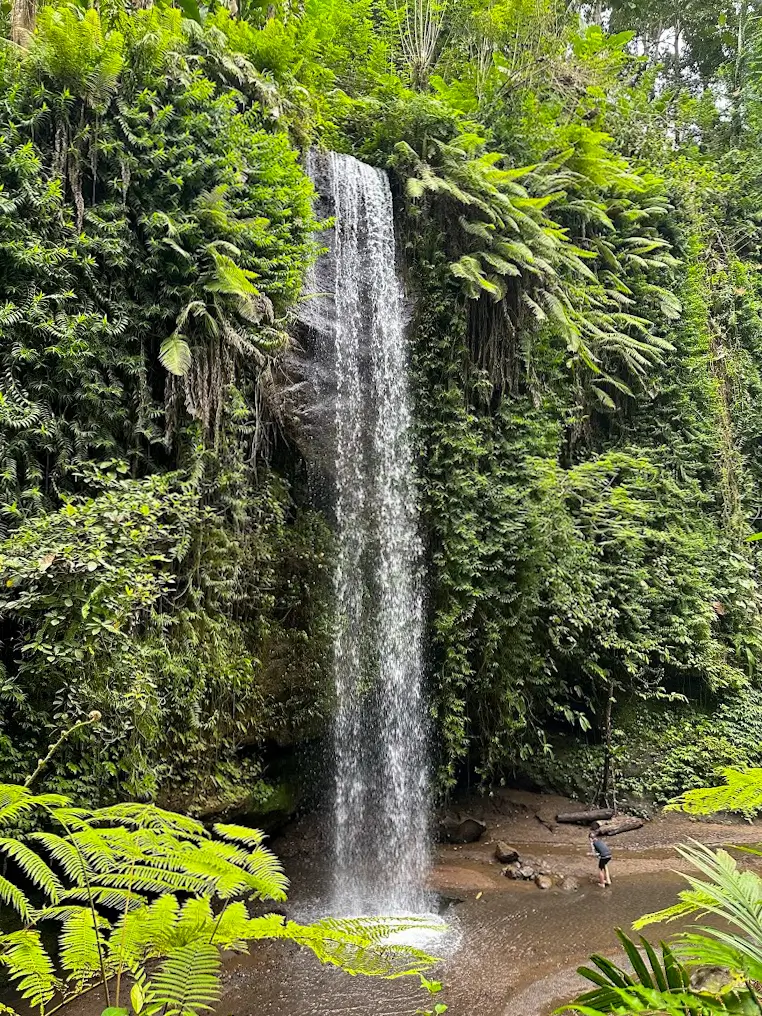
pixel 577 198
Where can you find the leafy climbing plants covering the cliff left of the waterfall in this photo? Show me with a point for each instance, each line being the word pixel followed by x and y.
pixel 155 228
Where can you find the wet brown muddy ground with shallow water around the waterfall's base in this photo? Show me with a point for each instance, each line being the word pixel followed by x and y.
pixel 513 949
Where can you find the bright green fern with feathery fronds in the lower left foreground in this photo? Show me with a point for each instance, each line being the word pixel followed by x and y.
pixel 146 900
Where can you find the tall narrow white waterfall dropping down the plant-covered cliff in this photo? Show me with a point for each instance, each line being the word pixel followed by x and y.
pixel 380 810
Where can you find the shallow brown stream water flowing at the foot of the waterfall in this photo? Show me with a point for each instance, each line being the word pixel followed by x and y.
pixel 513 952
